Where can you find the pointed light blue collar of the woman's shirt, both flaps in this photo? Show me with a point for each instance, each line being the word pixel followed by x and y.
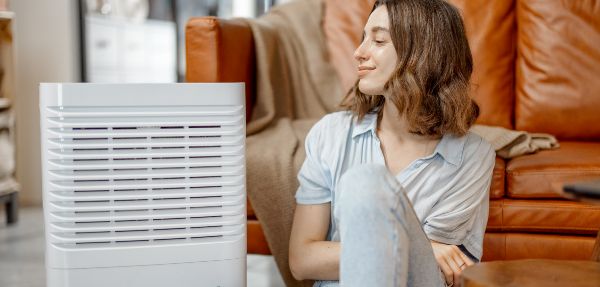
pixel 450 147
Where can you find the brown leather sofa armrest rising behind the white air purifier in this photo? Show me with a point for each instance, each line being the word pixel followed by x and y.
pixel 220 50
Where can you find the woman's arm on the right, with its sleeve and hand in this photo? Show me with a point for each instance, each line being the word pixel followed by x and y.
pixel 448 224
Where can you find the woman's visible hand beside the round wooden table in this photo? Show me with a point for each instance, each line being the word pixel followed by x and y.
pixel 451 260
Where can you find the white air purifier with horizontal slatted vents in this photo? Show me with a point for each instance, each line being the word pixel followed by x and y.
pixel 144 184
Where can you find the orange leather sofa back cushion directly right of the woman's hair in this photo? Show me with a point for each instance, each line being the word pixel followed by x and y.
pixel 490 27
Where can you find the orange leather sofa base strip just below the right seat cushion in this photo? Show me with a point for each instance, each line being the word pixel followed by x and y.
pixel 548 216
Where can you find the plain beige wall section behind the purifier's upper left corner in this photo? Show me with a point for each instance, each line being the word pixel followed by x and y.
pixel 47 50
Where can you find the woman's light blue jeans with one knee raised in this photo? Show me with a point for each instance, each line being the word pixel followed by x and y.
pixel 382 241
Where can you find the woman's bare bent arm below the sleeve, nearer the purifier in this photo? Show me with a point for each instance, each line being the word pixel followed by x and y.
pixel 311 256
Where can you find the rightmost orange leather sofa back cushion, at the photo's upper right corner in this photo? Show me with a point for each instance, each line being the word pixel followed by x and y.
pixel 557 68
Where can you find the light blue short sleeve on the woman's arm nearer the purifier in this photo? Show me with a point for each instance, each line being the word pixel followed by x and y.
pixel 314 176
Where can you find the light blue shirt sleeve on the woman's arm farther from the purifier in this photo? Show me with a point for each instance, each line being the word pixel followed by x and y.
pixel 454 215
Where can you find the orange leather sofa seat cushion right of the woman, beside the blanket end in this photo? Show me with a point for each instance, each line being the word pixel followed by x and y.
pixel 542 174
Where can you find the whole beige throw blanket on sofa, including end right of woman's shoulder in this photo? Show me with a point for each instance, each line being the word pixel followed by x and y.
pixel 296 85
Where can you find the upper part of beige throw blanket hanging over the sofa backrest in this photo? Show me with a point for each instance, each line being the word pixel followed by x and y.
pixel 294 79
